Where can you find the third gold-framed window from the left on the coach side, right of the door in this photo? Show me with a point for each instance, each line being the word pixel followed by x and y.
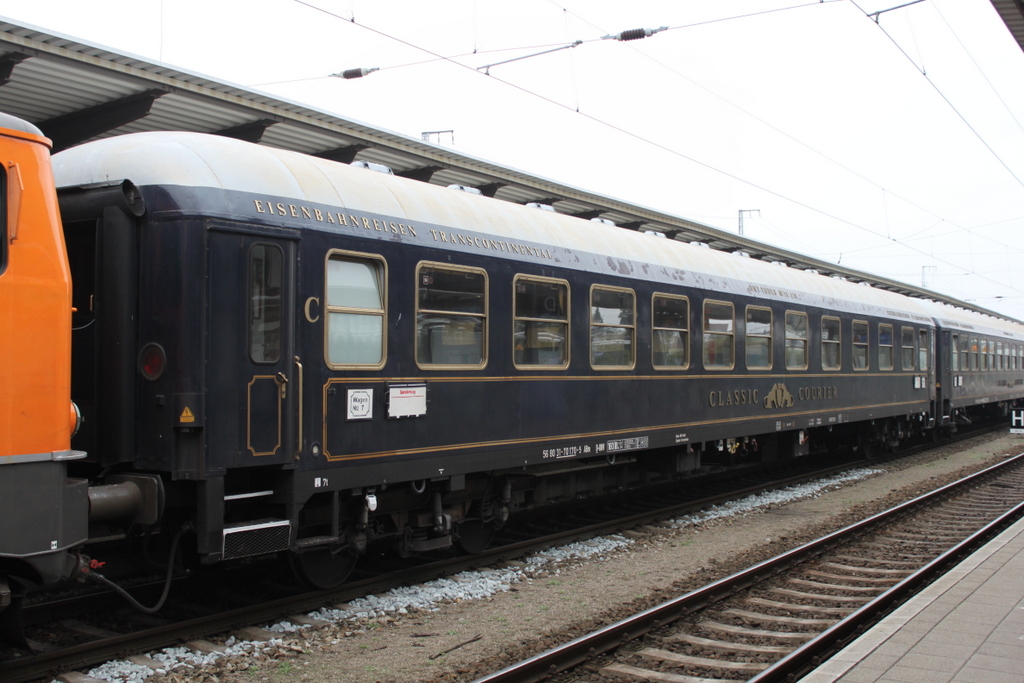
pixel 542 323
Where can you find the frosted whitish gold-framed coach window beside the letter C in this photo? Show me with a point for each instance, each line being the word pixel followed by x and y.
pixel 356 329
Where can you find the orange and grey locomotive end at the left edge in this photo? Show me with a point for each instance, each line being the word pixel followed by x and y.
pixel 44 514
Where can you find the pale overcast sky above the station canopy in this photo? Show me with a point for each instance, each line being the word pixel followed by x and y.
pixel 895 147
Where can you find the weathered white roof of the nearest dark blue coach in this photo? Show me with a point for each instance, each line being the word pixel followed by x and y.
pixel 197 160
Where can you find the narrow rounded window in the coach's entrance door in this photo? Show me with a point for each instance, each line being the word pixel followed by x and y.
pixel 266 275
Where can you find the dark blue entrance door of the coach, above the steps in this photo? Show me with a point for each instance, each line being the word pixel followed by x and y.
pixel 253 375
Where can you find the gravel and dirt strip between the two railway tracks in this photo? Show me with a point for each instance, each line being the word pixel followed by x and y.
pixel 459 628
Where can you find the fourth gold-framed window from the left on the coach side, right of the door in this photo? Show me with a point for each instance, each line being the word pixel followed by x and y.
pixel 613 328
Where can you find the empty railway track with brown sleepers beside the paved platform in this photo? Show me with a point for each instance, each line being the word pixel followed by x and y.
pixel 780 619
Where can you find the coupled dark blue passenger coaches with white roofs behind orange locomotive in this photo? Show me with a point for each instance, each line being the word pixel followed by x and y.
pixel 306 357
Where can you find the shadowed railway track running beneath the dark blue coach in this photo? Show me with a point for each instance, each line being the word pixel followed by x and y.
pixel 89 644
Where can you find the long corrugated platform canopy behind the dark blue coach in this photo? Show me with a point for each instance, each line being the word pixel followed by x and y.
pixel 76 92
